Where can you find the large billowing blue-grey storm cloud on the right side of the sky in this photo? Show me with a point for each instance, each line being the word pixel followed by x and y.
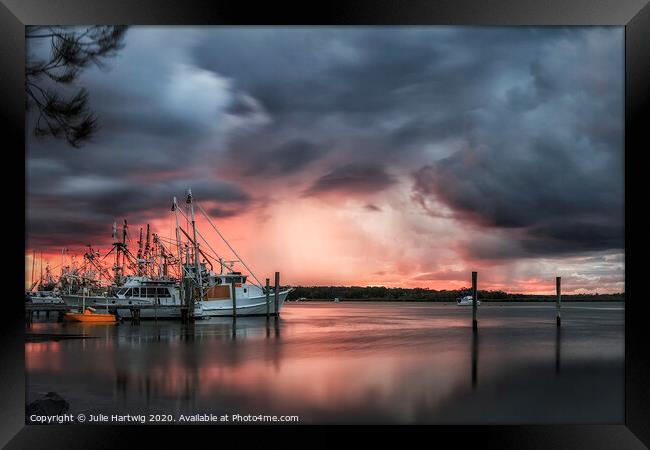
pixel 554 174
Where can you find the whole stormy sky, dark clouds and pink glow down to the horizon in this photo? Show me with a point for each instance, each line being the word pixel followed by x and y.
pixel 401 156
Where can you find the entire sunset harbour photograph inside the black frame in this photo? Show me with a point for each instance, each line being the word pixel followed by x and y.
pixel 318 225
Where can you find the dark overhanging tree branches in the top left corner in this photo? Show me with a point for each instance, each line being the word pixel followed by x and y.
pixel 71 50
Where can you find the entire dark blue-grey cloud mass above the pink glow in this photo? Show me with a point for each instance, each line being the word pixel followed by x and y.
pixel 515 129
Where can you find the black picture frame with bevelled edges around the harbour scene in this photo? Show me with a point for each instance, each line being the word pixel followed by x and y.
pixel 633 14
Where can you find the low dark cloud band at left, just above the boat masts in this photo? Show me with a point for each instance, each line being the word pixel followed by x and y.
pixel 84 209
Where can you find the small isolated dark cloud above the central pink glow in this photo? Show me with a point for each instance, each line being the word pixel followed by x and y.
pixel 351 179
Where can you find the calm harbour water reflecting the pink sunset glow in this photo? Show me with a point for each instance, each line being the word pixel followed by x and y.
pixel 349 363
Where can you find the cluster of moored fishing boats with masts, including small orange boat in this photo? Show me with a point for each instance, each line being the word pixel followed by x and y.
pixel 165 279
